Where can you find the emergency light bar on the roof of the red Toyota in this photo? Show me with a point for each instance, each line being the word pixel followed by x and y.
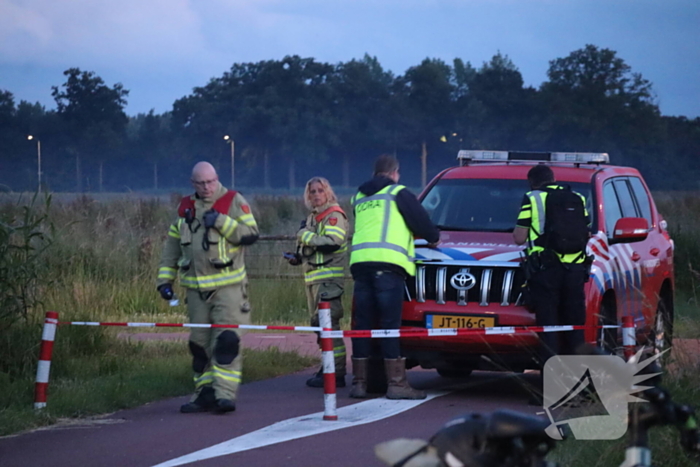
pixel 466 156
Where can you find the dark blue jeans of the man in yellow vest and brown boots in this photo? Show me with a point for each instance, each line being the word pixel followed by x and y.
pixel 378 297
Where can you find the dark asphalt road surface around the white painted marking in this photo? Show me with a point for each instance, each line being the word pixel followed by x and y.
pixel 157 433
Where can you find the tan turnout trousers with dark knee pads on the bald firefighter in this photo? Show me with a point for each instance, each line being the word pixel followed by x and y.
pixel 216 354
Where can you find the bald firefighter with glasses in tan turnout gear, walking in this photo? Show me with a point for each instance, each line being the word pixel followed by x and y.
pixel 206 245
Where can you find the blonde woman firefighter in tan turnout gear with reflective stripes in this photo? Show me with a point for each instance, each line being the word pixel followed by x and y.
pixel 322 249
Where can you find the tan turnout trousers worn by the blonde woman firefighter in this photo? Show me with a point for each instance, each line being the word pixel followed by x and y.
pixel 330 292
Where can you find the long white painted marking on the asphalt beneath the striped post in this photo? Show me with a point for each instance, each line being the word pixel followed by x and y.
pixel 306 425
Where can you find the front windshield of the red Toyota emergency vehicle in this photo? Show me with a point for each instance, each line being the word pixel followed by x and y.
pixel 482 205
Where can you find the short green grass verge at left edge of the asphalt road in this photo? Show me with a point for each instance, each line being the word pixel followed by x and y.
pixel 129 374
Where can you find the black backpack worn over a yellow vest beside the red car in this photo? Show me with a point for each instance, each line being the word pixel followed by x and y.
pixel 566 224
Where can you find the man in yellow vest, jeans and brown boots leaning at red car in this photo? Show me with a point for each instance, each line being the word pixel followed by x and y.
pixel 387 216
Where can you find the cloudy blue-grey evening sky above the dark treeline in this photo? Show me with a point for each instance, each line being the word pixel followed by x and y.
pixel 160 49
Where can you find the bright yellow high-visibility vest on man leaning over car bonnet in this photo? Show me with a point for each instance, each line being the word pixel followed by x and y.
pixel 381 233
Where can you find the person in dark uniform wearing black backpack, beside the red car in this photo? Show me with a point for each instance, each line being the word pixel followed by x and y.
pixel 556 265
